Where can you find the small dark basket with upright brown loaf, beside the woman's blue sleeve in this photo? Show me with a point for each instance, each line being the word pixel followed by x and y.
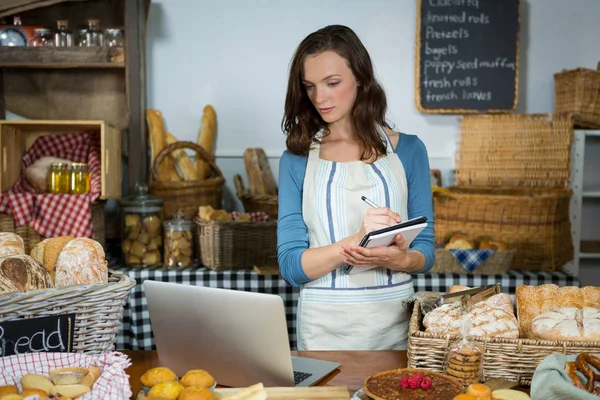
pixel 261 195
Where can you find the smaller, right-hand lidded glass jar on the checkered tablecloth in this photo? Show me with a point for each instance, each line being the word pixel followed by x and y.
pixel 179 242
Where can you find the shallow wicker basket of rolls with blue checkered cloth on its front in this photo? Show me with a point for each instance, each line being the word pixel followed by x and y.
pixel 484 256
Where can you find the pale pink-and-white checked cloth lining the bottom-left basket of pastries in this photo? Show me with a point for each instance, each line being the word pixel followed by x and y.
pixel 113 383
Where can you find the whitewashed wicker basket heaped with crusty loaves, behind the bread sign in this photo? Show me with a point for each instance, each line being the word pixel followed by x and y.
pixel 64 276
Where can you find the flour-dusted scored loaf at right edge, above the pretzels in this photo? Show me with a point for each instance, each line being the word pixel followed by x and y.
pixel 568 323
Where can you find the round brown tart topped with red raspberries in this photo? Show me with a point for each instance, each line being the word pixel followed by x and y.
pixel 412 384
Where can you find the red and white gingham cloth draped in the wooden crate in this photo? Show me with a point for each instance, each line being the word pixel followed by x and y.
pixel 54 215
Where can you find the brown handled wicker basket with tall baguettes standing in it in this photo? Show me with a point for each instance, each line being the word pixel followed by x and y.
pixel 181 183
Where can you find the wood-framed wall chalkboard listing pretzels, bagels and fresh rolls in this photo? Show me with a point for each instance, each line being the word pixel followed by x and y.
pixel 467 56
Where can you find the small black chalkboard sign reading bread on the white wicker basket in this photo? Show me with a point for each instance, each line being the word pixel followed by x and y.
pixel 32 335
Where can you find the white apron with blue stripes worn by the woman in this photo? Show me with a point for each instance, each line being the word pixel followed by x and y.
pixel 362 311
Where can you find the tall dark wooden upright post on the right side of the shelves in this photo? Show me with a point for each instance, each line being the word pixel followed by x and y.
pixel 135 65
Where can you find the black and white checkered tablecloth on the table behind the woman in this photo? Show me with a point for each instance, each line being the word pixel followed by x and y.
pixel 136 333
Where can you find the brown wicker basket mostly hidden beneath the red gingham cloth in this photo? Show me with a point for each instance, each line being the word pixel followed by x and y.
pixel 31 237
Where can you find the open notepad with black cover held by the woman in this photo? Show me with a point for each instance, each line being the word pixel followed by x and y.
pixel 385 237
